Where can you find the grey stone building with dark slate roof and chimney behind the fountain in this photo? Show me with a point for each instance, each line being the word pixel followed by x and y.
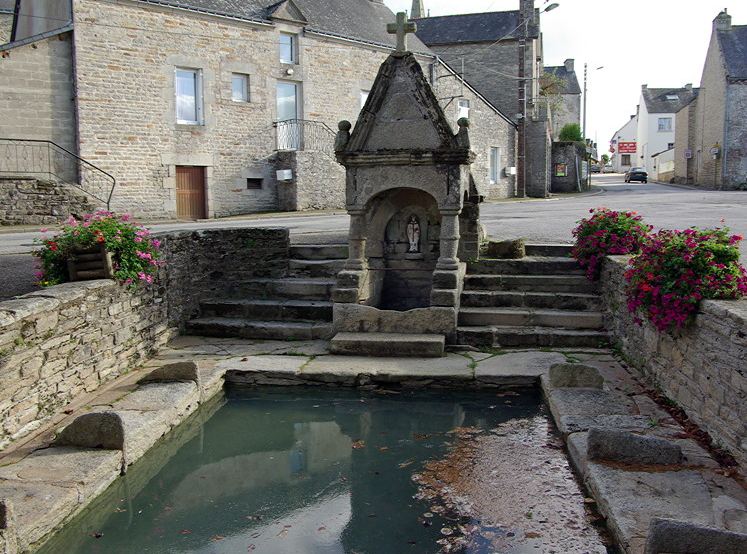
pixel 500 53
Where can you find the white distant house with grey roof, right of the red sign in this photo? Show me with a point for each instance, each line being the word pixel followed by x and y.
pixel 656 121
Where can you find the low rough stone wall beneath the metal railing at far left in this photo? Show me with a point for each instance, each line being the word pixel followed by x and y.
pixel 41 202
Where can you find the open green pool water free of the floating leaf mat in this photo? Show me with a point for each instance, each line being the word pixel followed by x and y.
pixel 286 471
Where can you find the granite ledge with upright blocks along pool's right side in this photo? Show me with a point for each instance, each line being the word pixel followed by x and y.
pixel 636 476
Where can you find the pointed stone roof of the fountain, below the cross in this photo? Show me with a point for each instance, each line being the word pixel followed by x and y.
pixel 401 114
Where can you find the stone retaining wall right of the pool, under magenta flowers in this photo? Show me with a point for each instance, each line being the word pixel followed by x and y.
pixel 702 367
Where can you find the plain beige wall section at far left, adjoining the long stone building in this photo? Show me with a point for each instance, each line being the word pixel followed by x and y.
pixel 36 92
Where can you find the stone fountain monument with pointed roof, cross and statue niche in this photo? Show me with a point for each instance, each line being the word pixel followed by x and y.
pixel 413 217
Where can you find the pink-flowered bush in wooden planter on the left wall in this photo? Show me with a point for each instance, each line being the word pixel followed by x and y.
pixel 134 252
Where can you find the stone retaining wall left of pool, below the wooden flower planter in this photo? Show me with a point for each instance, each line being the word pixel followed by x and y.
pixel 65 340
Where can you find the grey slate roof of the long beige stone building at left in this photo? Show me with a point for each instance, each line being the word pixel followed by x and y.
pixel 358 19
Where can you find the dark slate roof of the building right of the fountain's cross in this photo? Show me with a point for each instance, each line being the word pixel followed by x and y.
pixel 469 28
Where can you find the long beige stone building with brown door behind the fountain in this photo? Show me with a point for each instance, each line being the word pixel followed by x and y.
pixel 210 108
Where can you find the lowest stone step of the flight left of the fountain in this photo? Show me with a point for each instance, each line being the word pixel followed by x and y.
pixel 259 329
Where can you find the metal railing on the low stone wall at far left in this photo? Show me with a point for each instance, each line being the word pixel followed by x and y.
pixel 35 158
